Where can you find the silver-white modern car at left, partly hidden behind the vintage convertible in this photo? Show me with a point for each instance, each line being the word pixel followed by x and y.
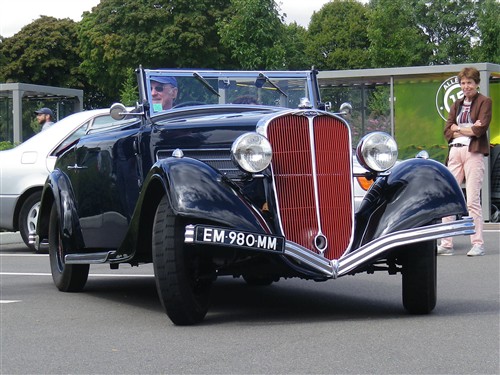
pixel 24 169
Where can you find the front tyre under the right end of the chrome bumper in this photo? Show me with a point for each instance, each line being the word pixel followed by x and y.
pixel 419 277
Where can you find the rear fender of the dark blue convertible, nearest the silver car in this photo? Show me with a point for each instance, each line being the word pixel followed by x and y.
pixel 58 191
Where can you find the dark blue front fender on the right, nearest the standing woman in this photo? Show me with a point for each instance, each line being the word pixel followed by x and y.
pixel 415 193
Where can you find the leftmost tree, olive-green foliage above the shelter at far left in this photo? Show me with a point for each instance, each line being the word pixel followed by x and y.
pixel 45 52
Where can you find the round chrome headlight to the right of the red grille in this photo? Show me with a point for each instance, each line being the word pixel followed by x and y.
pixel 377 151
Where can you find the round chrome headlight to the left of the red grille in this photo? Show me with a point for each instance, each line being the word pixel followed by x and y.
pixel 252 152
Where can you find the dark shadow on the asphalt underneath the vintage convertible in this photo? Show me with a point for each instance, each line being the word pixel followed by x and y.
pixel 287 301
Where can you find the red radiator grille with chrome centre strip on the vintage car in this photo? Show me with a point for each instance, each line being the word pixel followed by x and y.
pixel 294 179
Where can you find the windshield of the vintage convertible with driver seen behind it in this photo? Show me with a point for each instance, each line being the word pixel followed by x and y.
pixel 170 89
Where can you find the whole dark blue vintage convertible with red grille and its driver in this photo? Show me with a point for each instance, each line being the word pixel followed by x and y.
pixel 246 175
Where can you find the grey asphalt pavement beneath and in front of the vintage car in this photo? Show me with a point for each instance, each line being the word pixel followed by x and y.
pixel 352 325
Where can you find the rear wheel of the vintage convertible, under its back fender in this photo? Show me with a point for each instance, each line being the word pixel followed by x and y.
pixel 67 277
